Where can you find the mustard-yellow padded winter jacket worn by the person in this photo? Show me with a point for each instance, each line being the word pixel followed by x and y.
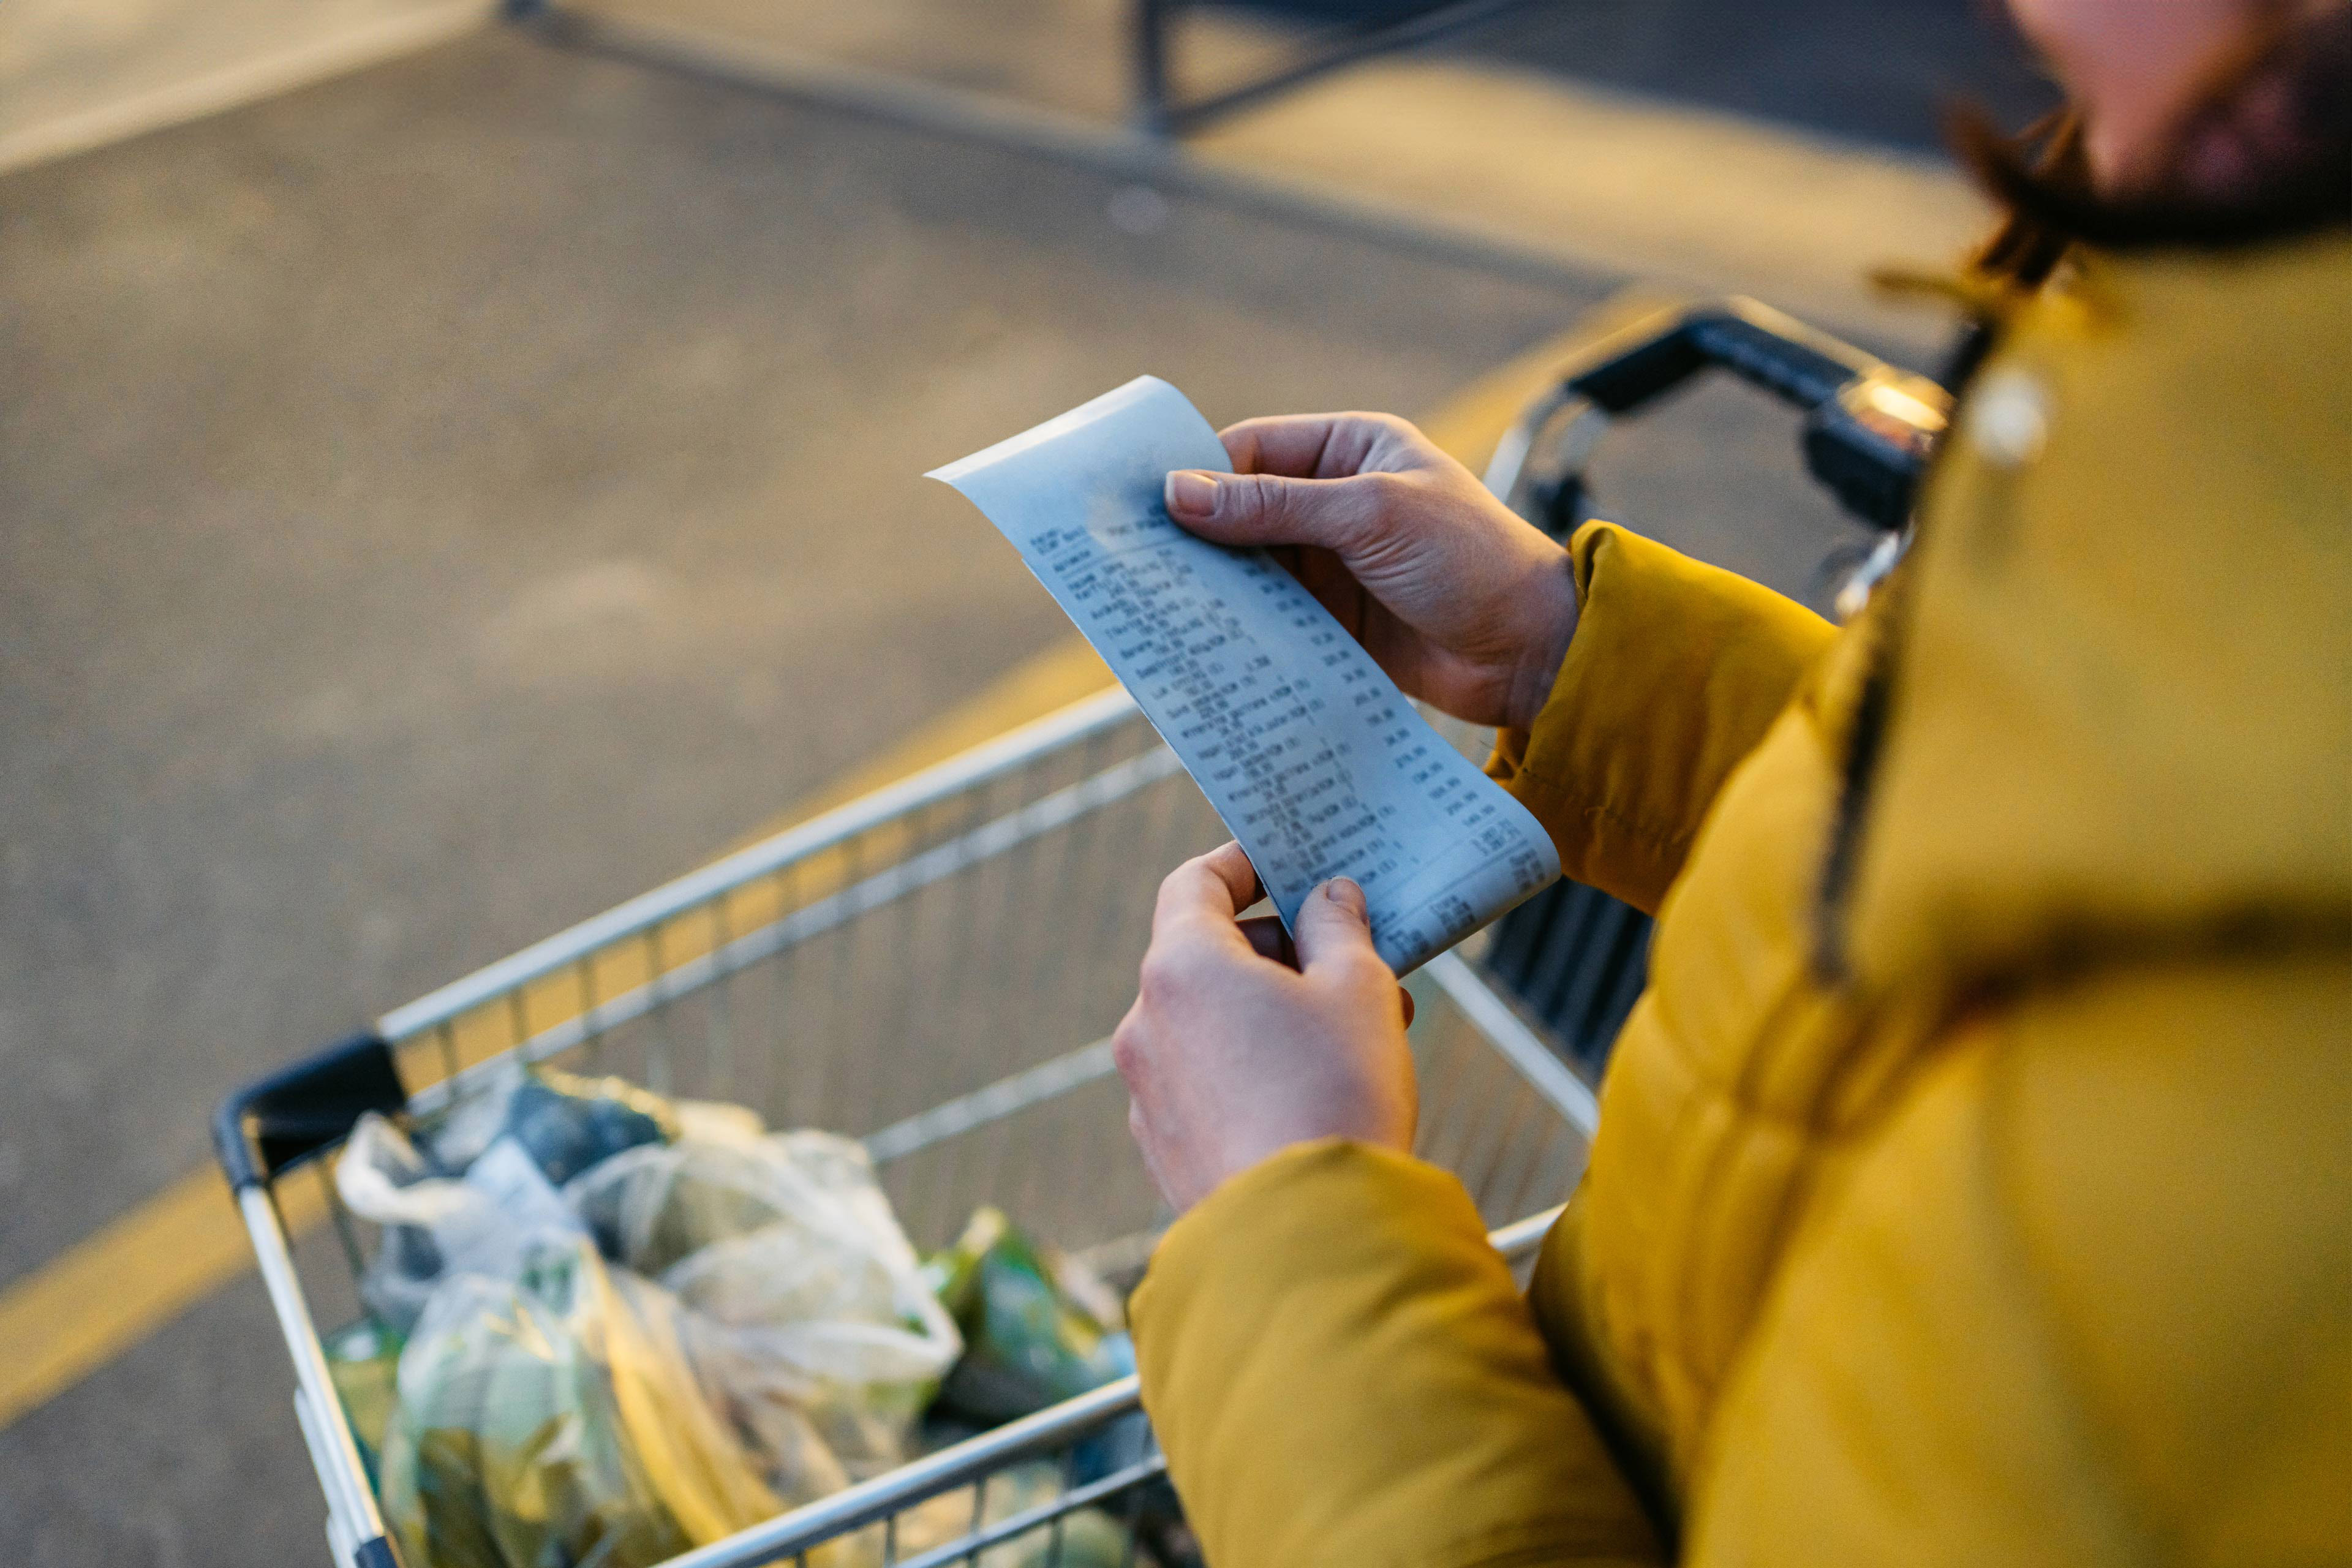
pixel 1975 1179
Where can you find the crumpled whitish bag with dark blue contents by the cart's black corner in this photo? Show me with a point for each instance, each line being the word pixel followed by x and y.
pixel 476 1186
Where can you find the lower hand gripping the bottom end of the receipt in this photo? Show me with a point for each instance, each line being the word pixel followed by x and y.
pixel 1231 1054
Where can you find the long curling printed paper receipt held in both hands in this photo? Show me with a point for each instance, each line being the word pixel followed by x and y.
pixel 1316 760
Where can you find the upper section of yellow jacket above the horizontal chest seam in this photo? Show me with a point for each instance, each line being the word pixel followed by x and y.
pixel 2118 711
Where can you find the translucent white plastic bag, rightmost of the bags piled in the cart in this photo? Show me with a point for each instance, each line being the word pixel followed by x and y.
pixel 808 1313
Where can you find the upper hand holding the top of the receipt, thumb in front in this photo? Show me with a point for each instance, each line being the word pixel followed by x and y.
pixel 1462 601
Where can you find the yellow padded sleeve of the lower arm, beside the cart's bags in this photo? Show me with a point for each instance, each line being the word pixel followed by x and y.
pixel 1344 1376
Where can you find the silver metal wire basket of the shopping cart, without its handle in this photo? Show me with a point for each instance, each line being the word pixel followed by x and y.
pixel 937 970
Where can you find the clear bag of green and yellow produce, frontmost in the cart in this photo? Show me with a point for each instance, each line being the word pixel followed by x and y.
pixel 552 1421
